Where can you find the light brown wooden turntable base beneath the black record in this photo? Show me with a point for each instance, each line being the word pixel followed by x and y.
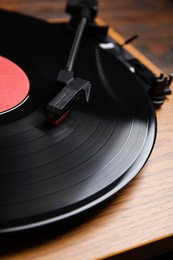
pixel 137 221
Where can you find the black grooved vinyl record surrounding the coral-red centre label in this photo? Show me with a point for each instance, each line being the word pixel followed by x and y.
pixel 50 173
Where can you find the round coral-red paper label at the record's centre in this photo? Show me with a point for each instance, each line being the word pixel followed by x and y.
pixel 14 86
